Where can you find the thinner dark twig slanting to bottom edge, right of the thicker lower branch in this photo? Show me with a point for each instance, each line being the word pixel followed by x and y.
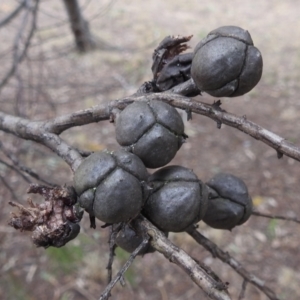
pixel 234 264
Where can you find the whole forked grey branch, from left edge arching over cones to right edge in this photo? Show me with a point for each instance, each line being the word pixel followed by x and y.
pixel 47 132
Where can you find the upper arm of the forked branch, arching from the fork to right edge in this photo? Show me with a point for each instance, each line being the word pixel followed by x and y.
pixel 105 112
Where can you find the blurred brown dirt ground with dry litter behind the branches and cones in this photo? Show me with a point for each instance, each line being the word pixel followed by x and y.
pixel 54 80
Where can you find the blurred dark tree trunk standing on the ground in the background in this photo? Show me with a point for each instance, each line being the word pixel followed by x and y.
pixel 80 27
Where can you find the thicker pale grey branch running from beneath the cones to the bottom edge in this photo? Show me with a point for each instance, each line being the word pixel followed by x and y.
pixel 207 282
